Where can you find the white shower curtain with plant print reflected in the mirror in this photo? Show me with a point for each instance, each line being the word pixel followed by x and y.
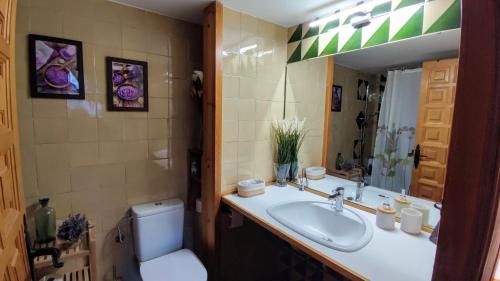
pixel 395 140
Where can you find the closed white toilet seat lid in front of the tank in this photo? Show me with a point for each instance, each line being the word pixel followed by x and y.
pixel 181 265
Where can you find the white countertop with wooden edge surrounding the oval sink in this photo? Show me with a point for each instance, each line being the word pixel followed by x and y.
pixel 389 256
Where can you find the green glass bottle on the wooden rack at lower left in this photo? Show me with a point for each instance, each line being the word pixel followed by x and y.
pixel 45 221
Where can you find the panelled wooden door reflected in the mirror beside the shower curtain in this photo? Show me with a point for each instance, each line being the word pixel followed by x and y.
pixel 437 96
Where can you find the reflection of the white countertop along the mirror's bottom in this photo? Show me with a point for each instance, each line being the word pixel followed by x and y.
pixel 371 195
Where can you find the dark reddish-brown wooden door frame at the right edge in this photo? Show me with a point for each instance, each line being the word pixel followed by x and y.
pixel 469 236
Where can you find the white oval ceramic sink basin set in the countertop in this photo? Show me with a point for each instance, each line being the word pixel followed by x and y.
pixel 346 231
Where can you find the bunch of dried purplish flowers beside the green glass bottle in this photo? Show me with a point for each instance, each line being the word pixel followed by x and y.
pixel 72 229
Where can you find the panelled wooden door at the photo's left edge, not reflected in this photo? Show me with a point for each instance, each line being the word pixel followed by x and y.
pixel 13 256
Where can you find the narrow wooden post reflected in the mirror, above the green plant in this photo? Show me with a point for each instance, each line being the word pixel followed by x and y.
pixel 328 106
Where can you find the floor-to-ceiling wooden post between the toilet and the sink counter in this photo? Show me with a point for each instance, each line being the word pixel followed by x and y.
pixel 211 159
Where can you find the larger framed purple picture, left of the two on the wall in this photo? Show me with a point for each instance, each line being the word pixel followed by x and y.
pixel 56 68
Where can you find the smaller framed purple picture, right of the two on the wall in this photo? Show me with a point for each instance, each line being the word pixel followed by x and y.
pixel 127 84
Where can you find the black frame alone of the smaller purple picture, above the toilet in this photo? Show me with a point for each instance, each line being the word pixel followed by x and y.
pixel 110 94
